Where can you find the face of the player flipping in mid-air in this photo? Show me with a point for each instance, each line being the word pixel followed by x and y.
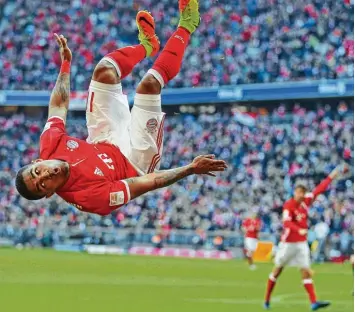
pixel 44 177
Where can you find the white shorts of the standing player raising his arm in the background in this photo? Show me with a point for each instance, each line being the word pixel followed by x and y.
pixel 293 254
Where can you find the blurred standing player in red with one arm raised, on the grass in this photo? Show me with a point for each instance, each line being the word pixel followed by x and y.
pixel 293 248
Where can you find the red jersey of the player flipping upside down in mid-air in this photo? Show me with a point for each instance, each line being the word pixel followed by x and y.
pixel 96 171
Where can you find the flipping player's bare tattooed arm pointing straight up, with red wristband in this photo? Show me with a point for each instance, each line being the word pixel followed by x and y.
pixel 59 101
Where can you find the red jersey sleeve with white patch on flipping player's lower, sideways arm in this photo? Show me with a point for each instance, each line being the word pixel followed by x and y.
pixel 108 197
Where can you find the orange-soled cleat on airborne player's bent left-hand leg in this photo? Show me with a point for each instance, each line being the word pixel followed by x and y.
pixel 146 33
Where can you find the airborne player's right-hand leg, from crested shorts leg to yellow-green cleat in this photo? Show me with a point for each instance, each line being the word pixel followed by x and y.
pixel 147 116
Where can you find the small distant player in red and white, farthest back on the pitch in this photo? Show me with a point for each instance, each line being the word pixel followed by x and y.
pixel 251 227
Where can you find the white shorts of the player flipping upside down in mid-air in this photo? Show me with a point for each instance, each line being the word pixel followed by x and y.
pixel 138 134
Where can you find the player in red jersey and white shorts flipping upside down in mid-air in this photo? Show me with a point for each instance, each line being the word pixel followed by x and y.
pixel 120 158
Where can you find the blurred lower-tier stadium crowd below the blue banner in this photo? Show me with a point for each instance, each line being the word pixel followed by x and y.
pixel 266 160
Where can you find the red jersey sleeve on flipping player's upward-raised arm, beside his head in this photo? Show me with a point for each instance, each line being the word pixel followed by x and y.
pixel 53 130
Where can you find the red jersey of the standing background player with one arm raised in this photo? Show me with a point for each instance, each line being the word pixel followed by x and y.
pixel 295 215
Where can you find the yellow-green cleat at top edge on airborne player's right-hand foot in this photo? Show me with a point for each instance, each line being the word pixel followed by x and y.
pixel 189 15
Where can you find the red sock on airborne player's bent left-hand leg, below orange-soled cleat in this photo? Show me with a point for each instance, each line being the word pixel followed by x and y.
pixel 127 57
